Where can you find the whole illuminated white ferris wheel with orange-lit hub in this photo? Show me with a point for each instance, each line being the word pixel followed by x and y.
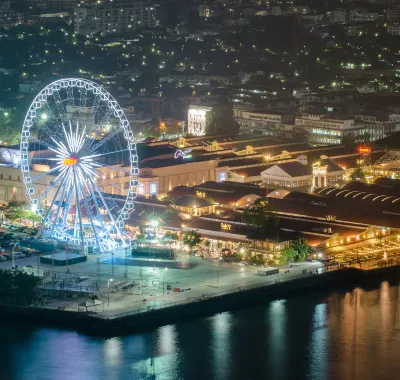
pixel 79 164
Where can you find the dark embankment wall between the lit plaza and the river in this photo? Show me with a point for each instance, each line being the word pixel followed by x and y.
pixel 89 323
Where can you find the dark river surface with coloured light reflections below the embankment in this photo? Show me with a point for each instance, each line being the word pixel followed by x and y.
pixel 340 335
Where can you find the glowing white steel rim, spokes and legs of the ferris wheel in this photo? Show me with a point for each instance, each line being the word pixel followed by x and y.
pixel 77 182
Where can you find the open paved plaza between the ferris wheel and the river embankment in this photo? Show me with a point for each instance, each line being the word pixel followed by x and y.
pixel 125 284
